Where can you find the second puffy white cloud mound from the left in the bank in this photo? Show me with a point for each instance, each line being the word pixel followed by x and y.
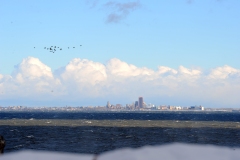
pixel 82 78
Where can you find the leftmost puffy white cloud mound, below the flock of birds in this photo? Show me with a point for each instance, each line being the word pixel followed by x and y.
pixel 29 79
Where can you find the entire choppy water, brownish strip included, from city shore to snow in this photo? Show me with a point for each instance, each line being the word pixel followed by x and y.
pixel 99 138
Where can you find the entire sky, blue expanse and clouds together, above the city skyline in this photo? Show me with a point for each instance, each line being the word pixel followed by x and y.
pixel 174 52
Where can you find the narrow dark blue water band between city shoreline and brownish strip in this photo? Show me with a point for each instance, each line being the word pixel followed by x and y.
pixel 187 116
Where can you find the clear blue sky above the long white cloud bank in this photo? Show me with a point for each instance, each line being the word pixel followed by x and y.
pixel 196 34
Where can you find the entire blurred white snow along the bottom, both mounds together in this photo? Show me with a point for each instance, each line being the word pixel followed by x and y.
pixel 175 151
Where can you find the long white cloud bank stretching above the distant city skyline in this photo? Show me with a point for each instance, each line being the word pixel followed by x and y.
pixel 83 82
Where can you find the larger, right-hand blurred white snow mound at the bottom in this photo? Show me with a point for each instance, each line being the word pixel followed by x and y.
pixel 174 152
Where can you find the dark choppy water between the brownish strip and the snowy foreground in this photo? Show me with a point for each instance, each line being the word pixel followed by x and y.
pixel 99 139
